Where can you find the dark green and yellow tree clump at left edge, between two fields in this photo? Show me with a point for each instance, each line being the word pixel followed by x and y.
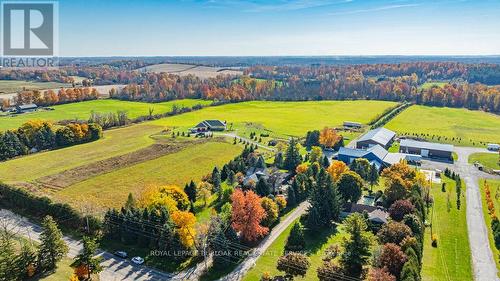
pixel 36 135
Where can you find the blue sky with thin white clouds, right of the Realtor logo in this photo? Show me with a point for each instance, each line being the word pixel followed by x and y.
pixel 278 28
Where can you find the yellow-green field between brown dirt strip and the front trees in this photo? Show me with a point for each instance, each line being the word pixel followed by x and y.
pixel 112 189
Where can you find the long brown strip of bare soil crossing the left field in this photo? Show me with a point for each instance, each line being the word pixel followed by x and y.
pixel 81 173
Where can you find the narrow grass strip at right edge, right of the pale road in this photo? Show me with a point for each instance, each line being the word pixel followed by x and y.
pixel 494 189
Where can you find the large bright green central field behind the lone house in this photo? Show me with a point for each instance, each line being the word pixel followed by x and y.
pixel 283 119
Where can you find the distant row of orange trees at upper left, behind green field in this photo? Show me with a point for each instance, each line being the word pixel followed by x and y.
pixel 50 97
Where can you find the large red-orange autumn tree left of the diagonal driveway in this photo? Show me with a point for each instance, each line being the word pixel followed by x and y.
pixel 247 215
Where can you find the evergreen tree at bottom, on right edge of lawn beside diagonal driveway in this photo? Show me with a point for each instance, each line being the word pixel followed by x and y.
pixel 356 246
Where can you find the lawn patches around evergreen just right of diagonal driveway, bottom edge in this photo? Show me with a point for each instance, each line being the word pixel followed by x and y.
pixel 316 244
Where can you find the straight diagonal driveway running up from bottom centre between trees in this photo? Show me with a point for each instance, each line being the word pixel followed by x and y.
pixel 239 272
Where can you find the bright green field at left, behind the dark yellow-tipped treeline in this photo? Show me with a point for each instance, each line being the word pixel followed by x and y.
pixel 81 110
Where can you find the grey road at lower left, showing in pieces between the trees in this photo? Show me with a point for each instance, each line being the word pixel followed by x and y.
pixel 114 268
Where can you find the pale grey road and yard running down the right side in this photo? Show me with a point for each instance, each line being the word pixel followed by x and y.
pixel 482 258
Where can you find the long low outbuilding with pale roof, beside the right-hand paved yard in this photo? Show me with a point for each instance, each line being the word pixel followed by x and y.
pixel 426 149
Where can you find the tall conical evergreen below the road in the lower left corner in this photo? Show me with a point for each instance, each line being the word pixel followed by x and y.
pixel 52 247
